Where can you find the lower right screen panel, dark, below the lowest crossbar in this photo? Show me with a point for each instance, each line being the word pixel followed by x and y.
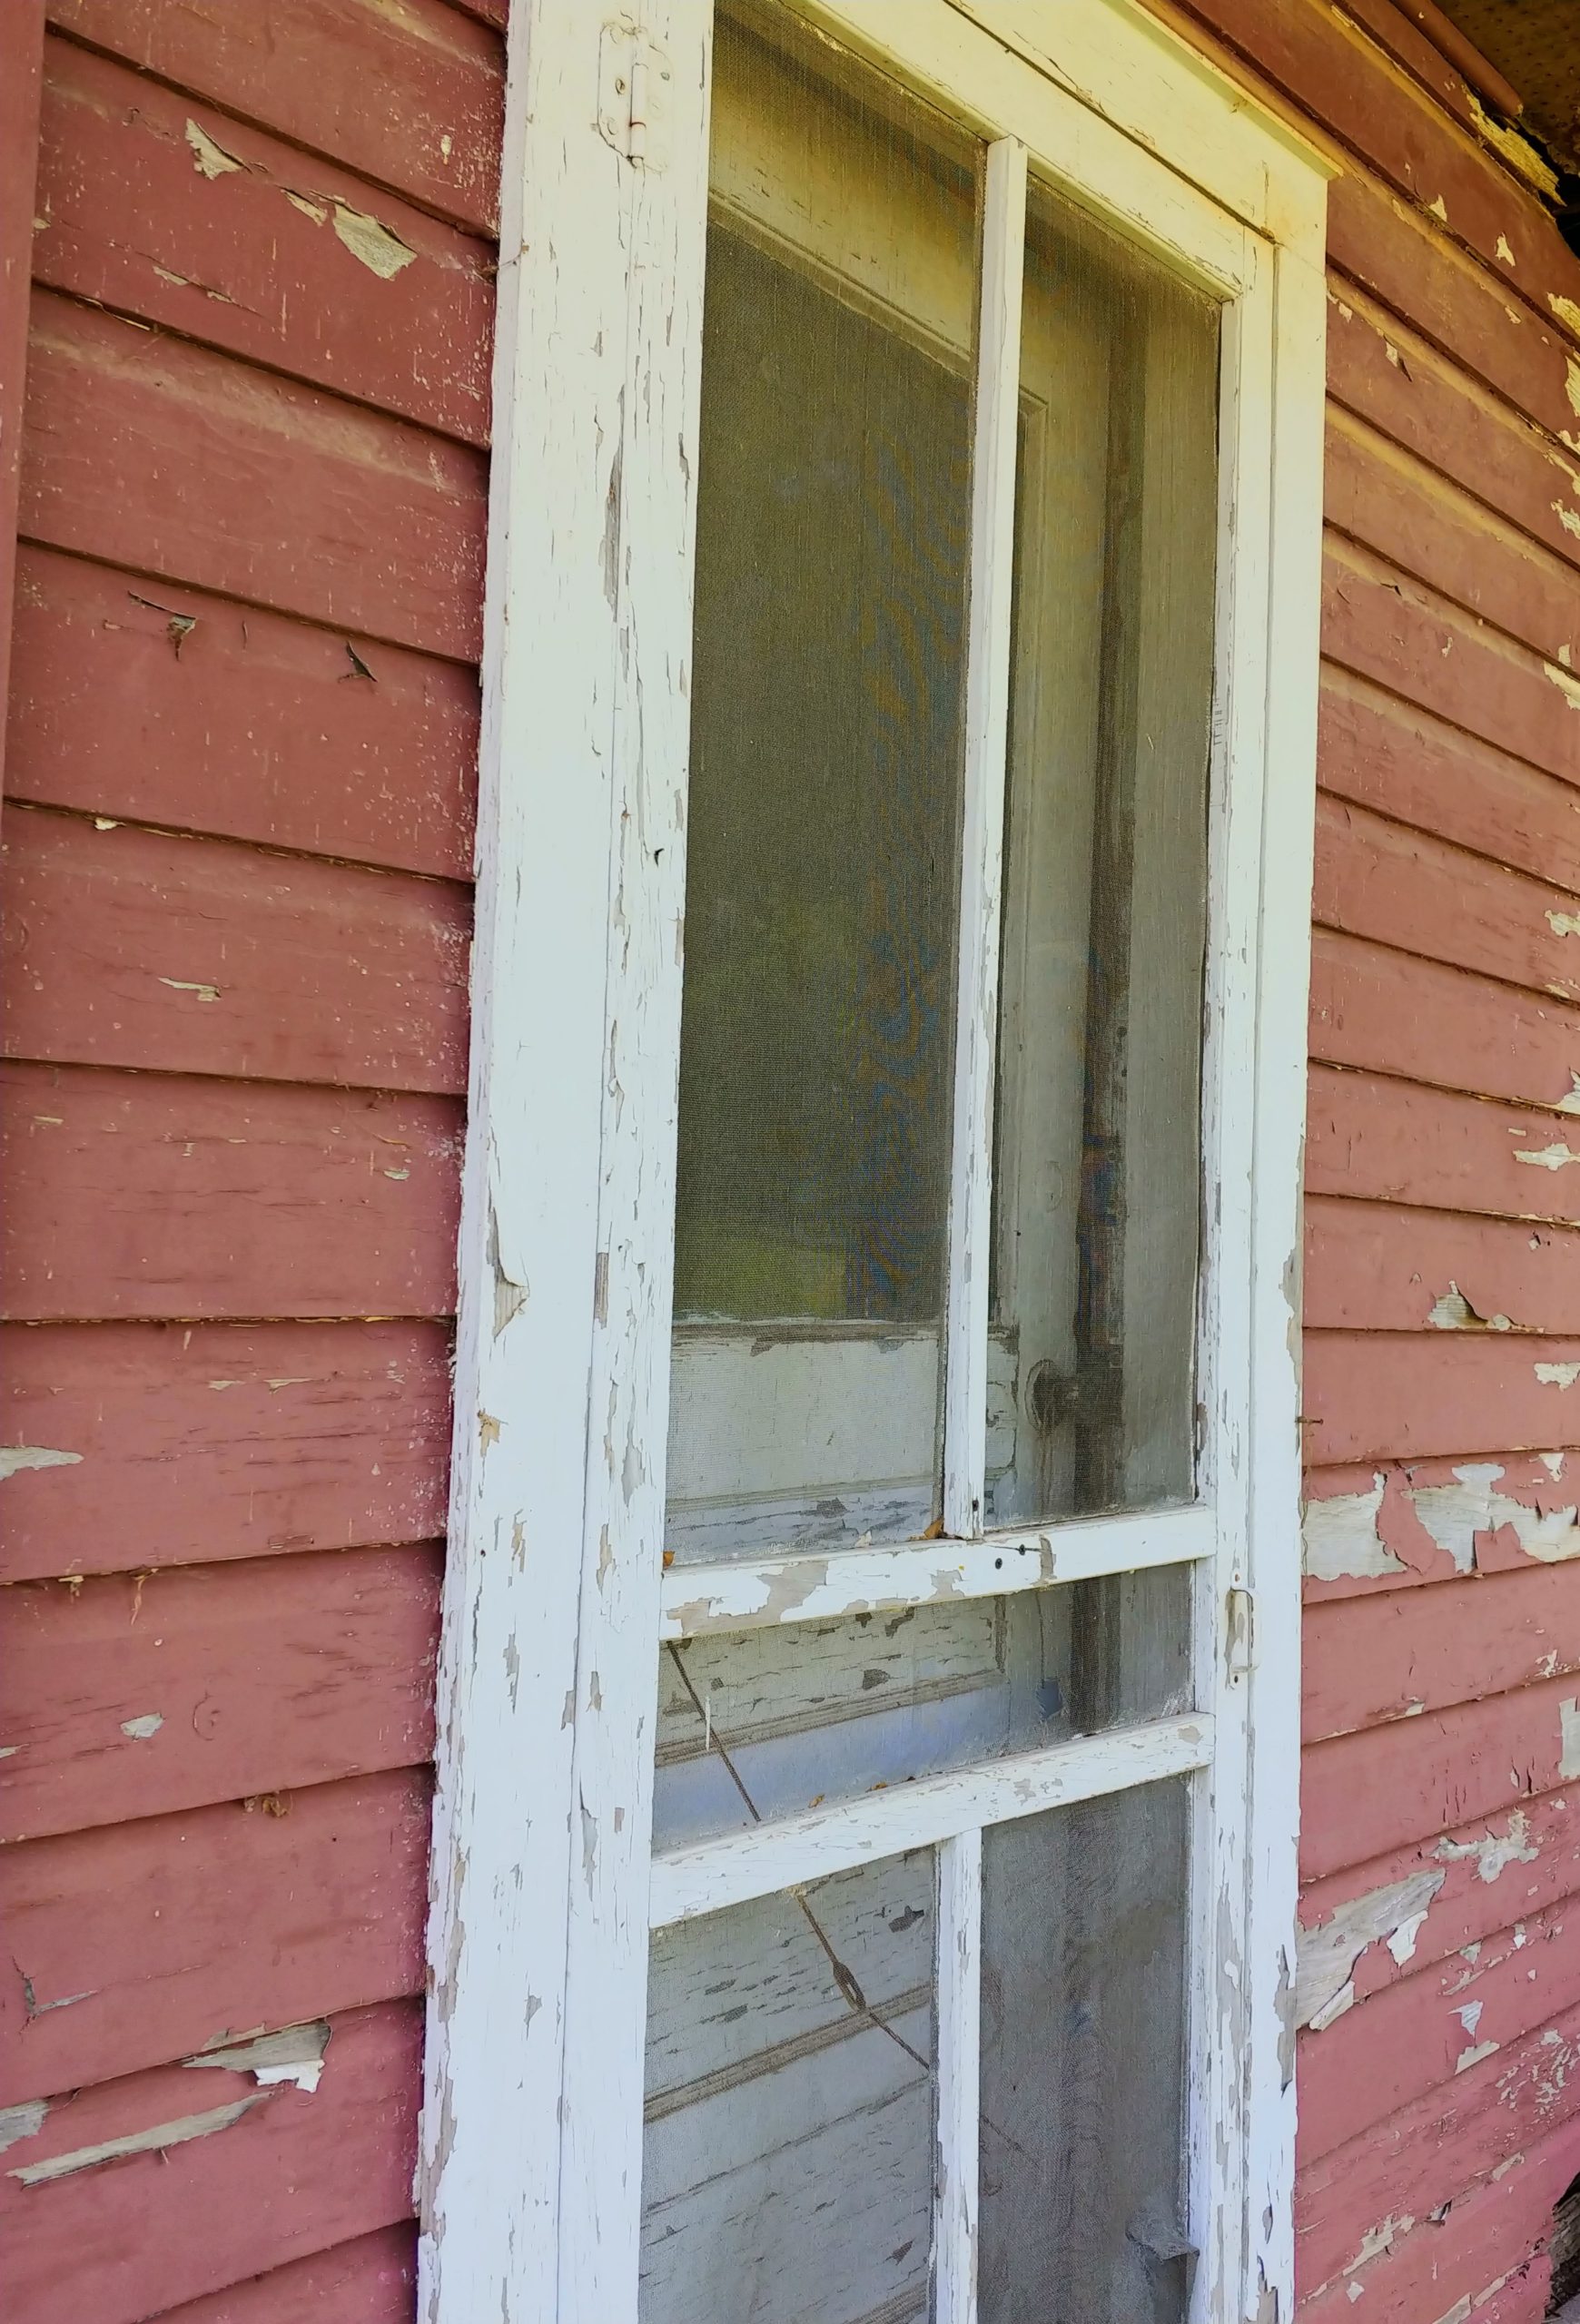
pixel 1084 2065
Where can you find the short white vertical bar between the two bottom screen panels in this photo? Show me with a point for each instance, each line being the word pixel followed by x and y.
pixel 961 2058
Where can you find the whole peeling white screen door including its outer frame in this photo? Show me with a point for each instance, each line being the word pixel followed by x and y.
pixel 924 1842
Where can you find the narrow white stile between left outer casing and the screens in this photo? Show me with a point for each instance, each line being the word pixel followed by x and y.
pixel 649 561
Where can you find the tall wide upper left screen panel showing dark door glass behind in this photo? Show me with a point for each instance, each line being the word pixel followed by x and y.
pixel 824 826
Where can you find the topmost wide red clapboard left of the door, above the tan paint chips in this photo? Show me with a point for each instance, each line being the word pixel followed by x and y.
pixel 433 134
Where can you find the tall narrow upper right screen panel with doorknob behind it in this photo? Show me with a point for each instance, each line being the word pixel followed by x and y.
pixel 1098 1175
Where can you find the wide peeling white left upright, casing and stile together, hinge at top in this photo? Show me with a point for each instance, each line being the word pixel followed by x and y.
pixel 531 2174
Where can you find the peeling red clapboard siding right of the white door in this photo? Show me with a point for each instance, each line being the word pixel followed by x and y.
pixel 1439 1988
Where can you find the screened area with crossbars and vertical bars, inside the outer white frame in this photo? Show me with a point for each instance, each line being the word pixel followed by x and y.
pixel 958 485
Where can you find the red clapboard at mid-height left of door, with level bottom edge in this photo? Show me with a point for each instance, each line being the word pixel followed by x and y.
pixel 175 1196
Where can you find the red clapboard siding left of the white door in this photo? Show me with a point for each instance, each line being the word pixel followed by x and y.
pixel 238 840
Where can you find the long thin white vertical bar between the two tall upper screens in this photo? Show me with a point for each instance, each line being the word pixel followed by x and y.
pixel 982 842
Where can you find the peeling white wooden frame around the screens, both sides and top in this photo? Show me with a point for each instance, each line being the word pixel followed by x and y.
pixel 531 2172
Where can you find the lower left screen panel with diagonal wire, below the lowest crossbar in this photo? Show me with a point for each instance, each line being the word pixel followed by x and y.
pixel 791 2109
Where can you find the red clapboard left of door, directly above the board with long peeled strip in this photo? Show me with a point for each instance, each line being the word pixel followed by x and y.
pixel 138 1944
